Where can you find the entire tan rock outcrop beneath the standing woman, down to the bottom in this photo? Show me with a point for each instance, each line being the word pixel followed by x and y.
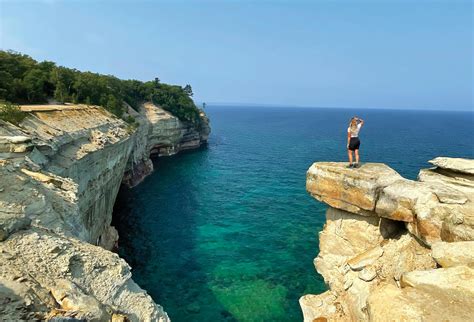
pixel 392 248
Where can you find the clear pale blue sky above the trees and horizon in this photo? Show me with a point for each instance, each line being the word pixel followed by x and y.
pixel 380 54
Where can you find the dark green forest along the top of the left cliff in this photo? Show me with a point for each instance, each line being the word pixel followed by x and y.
pixel 24 80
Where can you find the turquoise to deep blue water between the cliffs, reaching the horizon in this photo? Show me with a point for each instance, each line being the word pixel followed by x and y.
pixel 228 232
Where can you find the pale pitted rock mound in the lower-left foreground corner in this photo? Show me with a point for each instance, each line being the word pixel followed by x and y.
pixel 45 274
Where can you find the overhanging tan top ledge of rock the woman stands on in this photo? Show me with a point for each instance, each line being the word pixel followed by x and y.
pixel 434 208
